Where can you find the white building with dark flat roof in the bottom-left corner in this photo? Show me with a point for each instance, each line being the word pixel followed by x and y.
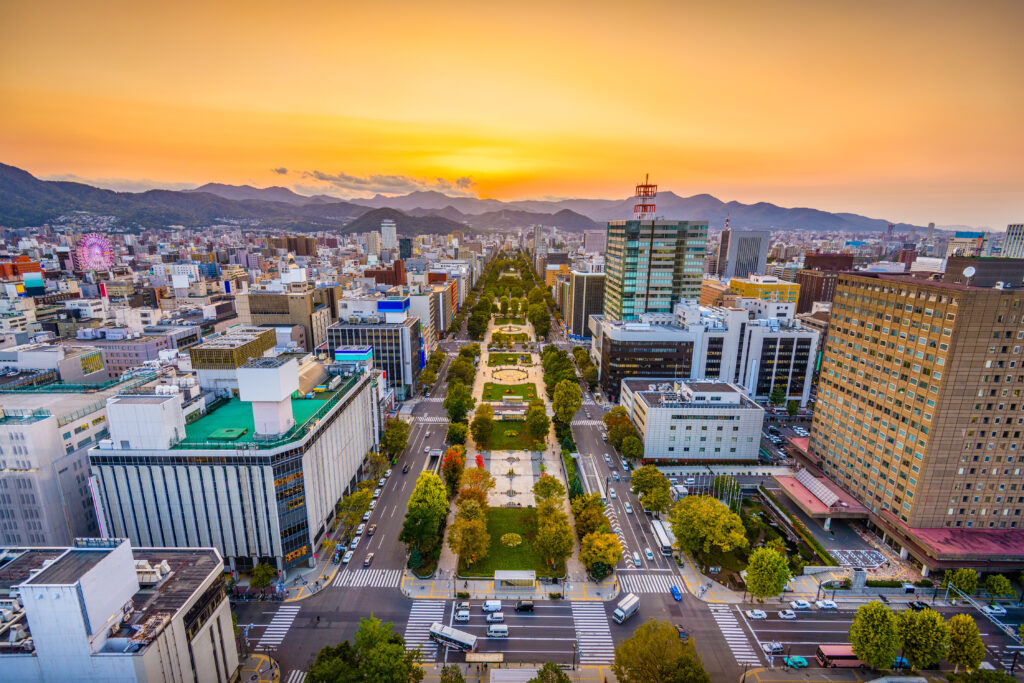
pixel 101 611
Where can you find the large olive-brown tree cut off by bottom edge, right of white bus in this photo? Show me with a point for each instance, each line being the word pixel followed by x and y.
pixel 655 654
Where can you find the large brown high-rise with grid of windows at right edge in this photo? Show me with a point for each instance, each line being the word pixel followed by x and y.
pixel 921 416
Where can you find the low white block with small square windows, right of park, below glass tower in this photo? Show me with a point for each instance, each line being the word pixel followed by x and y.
pixel 694 422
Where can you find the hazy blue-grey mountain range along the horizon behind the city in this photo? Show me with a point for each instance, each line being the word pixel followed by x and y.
pixel 27 201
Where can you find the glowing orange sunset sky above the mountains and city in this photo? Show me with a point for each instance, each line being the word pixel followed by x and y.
pixel 907 111
